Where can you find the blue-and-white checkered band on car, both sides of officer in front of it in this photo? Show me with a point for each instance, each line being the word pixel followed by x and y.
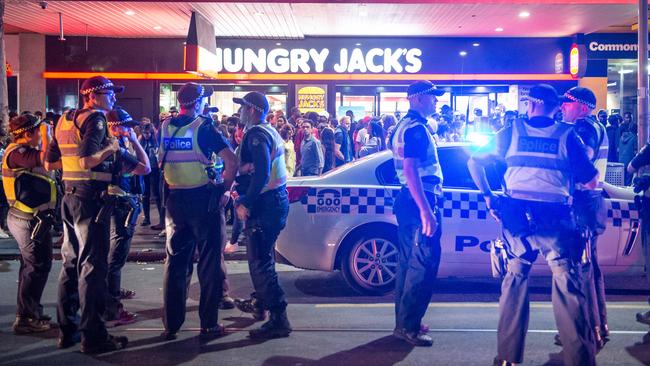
pixel 463 205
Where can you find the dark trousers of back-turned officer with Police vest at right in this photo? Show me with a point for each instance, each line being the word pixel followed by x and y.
pixel 530 228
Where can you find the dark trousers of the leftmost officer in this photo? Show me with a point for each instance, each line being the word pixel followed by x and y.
pixel 35 265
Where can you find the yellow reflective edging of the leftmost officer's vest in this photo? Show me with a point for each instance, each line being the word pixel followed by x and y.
pixel 9 177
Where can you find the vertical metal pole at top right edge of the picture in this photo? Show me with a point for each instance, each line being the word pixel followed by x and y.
pixel 642 81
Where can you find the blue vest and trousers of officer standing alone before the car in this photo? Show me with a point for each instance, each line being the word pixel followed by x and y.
pixel 419 256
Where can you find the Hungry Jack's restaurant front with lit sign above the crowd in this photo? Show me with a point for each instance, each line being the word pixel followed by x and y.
pixel 367 75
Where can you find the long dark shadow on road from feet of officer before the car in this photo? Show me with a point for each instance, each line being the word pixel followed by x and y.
pixel 386 351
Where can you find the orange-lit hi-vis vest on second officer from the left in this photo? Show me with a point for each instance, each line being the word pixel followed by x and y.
pixel 69 139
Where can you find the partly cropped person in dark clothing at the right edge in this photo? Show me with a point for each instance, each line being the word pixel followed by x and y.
pixel 640 161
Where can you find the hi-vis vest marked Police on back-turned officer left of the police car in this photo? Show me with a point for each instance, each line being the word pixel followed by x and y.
pixel 185 163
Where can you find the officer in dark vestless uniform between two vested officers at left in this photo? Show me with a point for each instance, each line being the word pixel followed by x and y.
pixel 124 194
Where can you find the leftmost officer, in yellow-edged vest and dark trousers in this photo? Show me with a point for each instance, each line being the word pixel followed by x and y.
pixel 31 194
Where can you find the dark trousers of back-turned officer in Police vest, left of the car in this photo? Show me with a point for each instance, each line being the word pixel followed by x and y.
pixel 190 226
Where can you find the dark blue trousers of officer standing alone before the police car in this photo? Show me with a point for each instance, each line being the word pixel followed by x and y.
pixel 419 259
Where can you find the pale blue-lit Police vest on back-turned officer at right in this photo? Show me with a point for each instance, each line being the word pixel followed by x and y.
pixel 538 164
